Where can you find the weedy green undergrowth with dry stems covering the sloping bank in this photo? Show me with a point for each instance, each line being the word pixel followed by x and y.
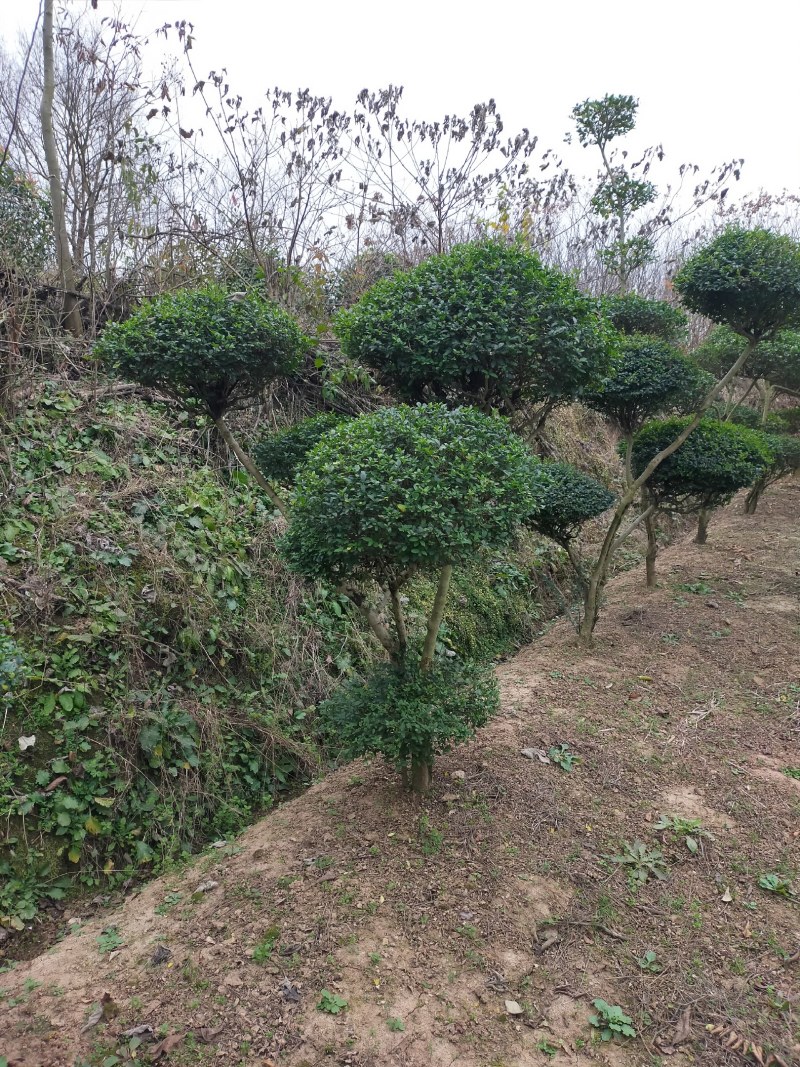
pixel 168 666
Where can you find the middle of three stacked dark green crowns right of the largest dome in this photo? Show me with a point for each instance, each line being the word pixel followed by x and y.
pixel 650 379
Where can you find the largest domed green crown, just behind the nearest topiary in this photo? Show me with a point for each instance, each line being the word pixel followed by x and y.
pixel 486 325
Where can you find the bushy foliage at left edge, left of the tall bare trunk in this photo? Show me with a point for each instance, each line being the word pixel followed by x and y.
pixel 26 227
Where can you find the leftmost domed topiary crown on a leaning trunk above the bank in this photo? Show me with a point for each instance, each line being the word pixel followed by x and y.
pixel 206 346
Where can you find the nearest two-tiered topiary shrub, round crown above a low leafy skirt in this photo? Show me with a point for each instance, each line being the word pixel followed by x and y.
pixel 388 496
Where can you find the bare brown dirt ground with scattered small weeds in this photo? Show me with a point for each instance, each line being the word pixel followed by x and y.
pixel 476 929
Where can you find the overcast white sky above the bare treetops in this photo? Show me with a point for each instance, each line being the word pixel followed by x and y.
pixel 716 79
